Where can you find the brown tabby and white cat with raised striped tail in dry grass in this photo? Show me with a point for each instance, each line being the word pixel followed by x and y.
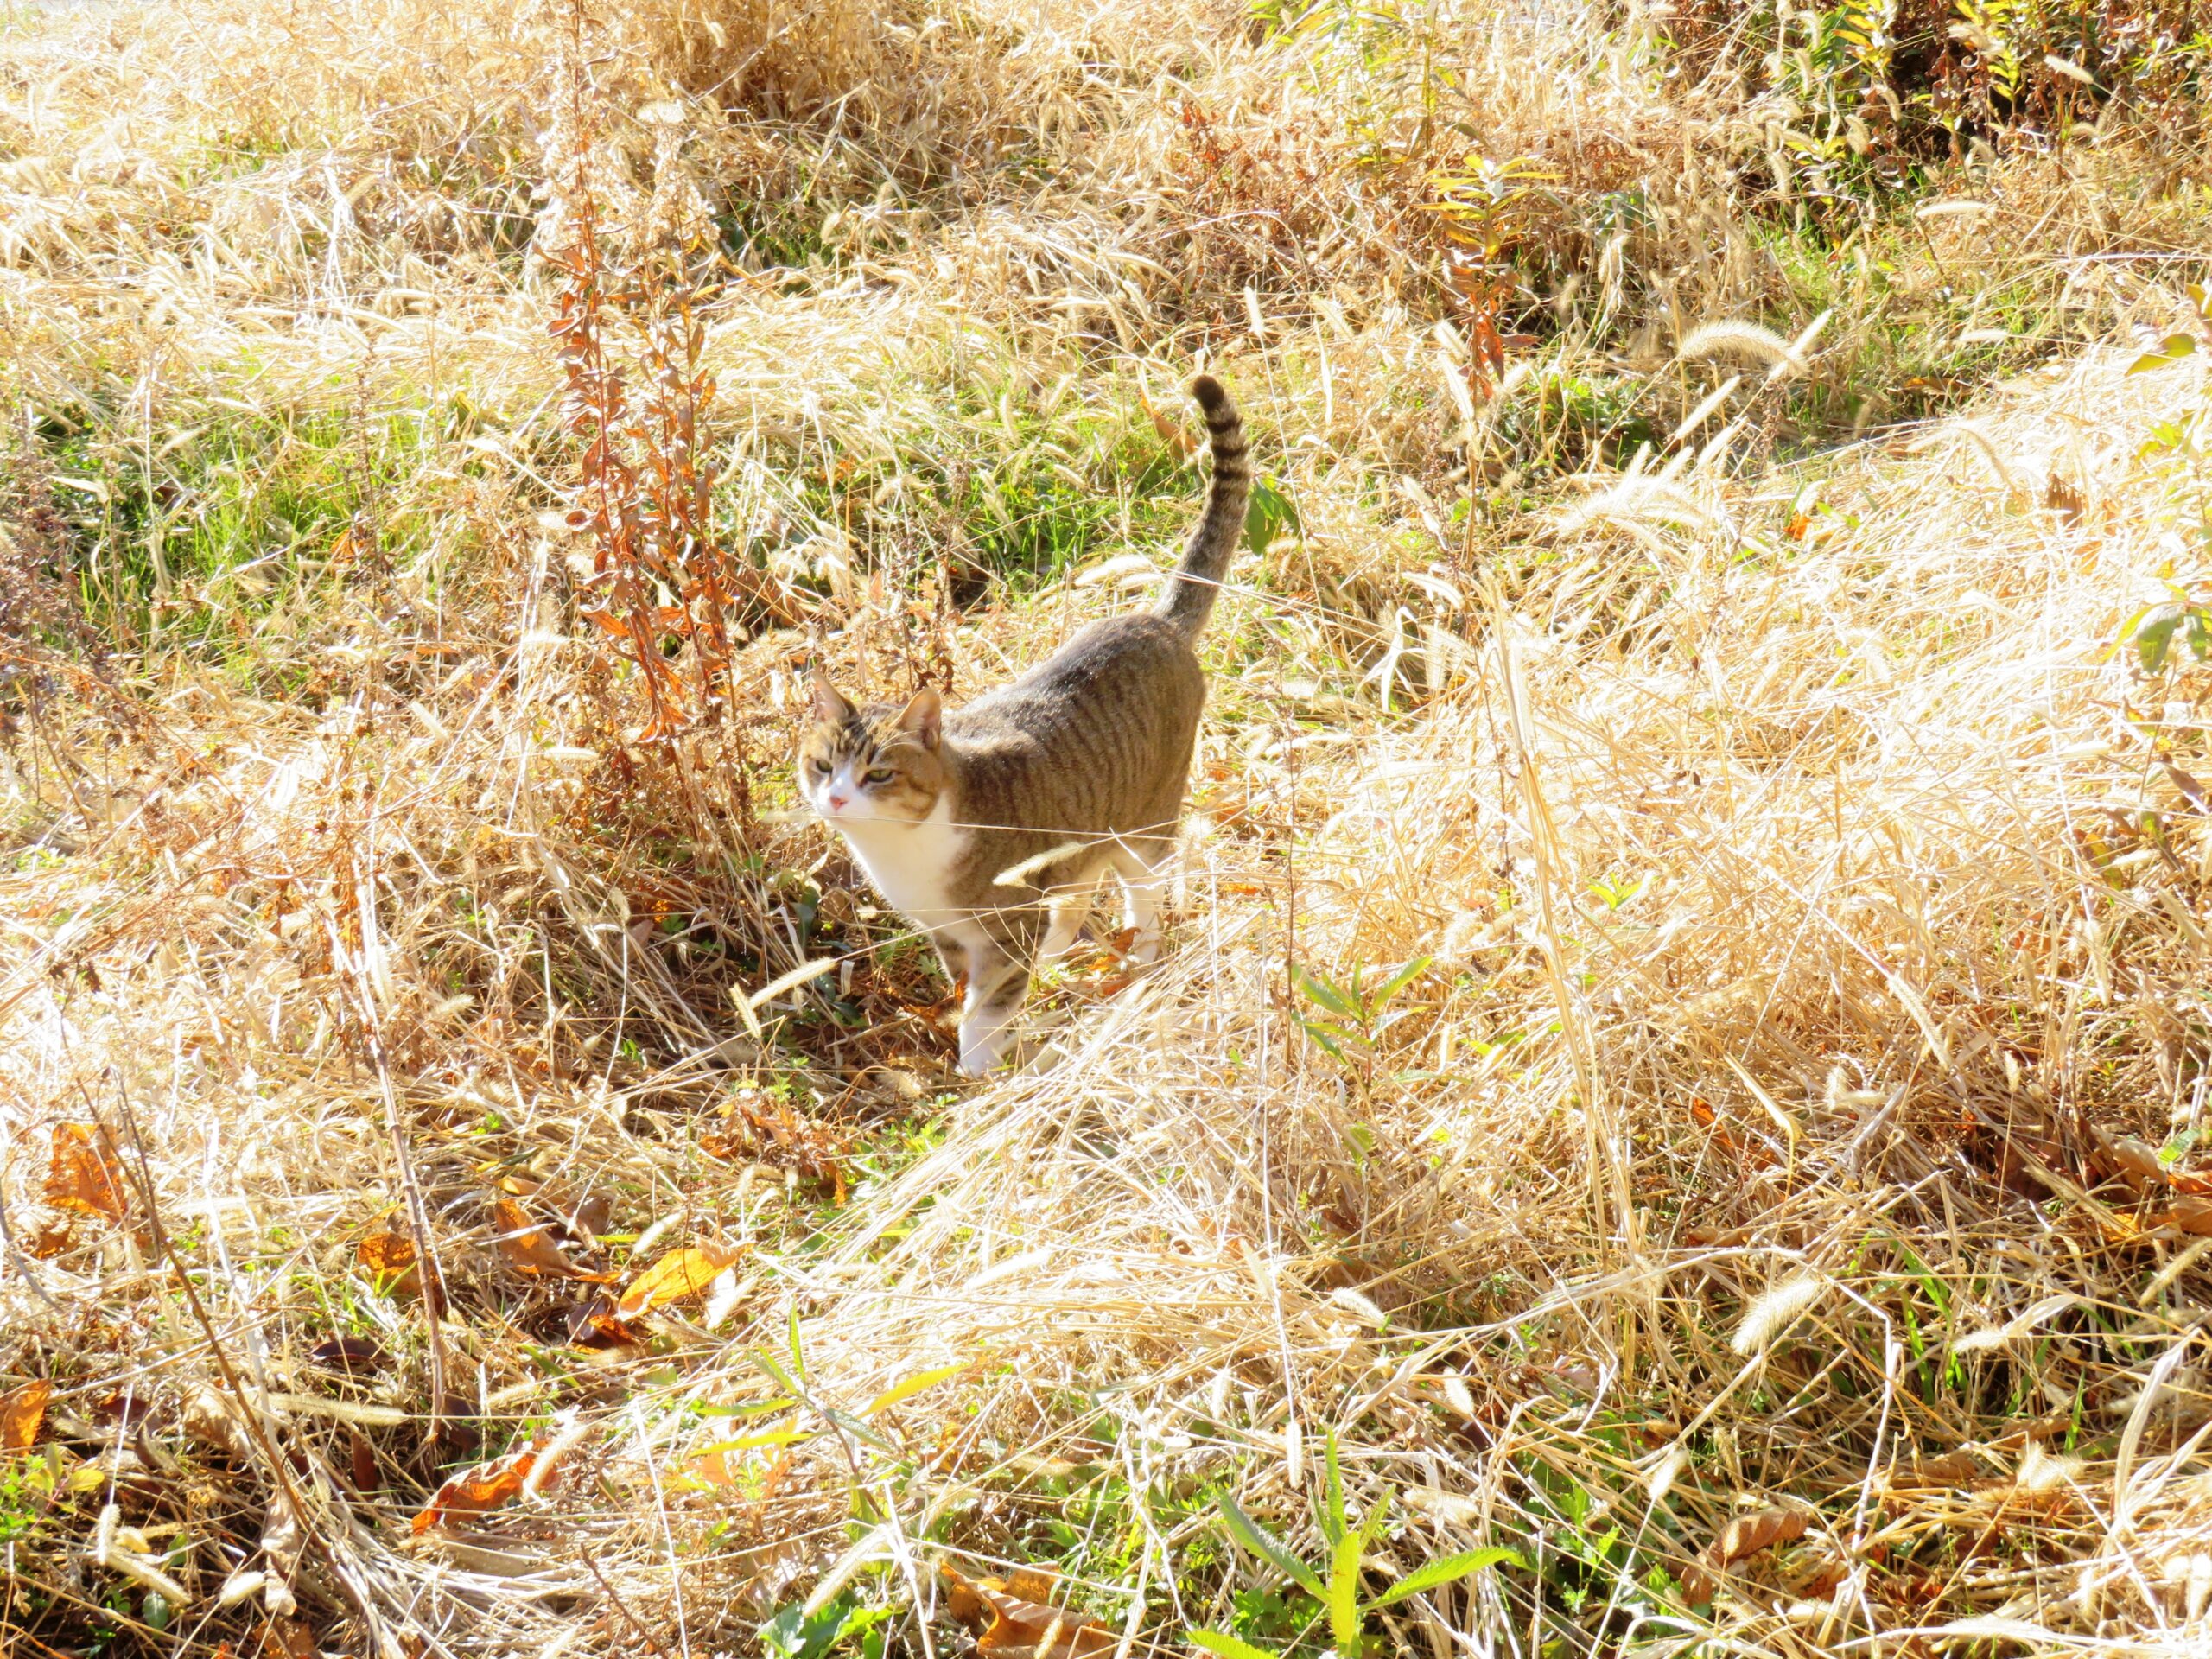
pixel 992 826
